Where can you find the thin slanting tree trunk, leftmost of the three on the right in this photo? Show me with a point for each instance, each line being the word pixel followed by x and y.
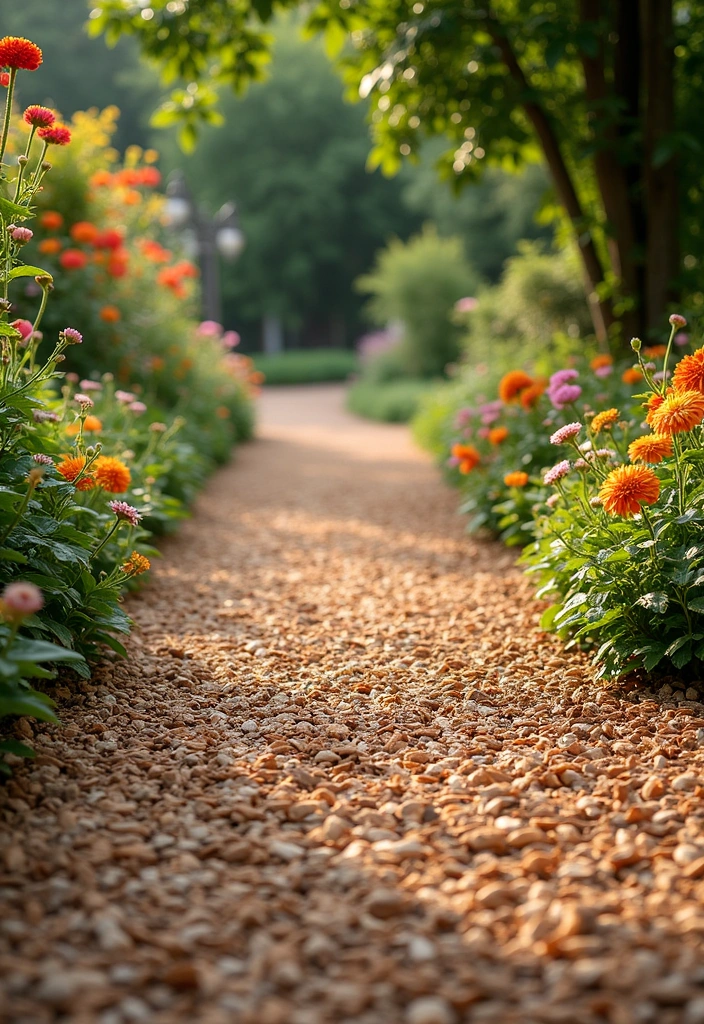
pixel 601 310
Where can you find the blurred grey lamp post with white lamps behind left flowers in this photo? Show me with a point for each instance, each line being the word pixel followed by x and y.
pixel 206 237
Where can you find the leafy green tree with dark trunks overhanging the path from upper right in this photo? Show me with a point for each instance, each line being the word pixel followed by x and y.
pixel 601 90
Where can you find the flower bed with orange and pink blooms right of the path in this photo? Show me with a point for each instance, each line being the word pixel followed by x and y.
pixel 615 528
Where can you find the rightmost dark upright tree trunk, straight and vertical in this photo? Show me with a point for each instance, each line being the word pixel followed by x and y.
pixel 663 251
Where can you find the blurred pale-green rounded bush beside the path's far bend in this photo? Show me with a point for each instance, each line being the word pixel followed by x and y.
pixel 417 285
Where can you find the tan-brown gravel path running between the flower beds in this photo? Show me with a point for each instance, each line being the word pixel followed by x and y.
pixel 343 780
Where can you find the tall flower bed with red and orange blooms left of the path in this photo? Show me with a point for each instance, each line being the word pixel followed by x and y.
pixel 91 465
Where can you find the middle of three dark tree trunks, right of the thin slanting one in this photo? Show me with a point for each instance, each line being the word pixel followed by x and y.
pixel 610 165
